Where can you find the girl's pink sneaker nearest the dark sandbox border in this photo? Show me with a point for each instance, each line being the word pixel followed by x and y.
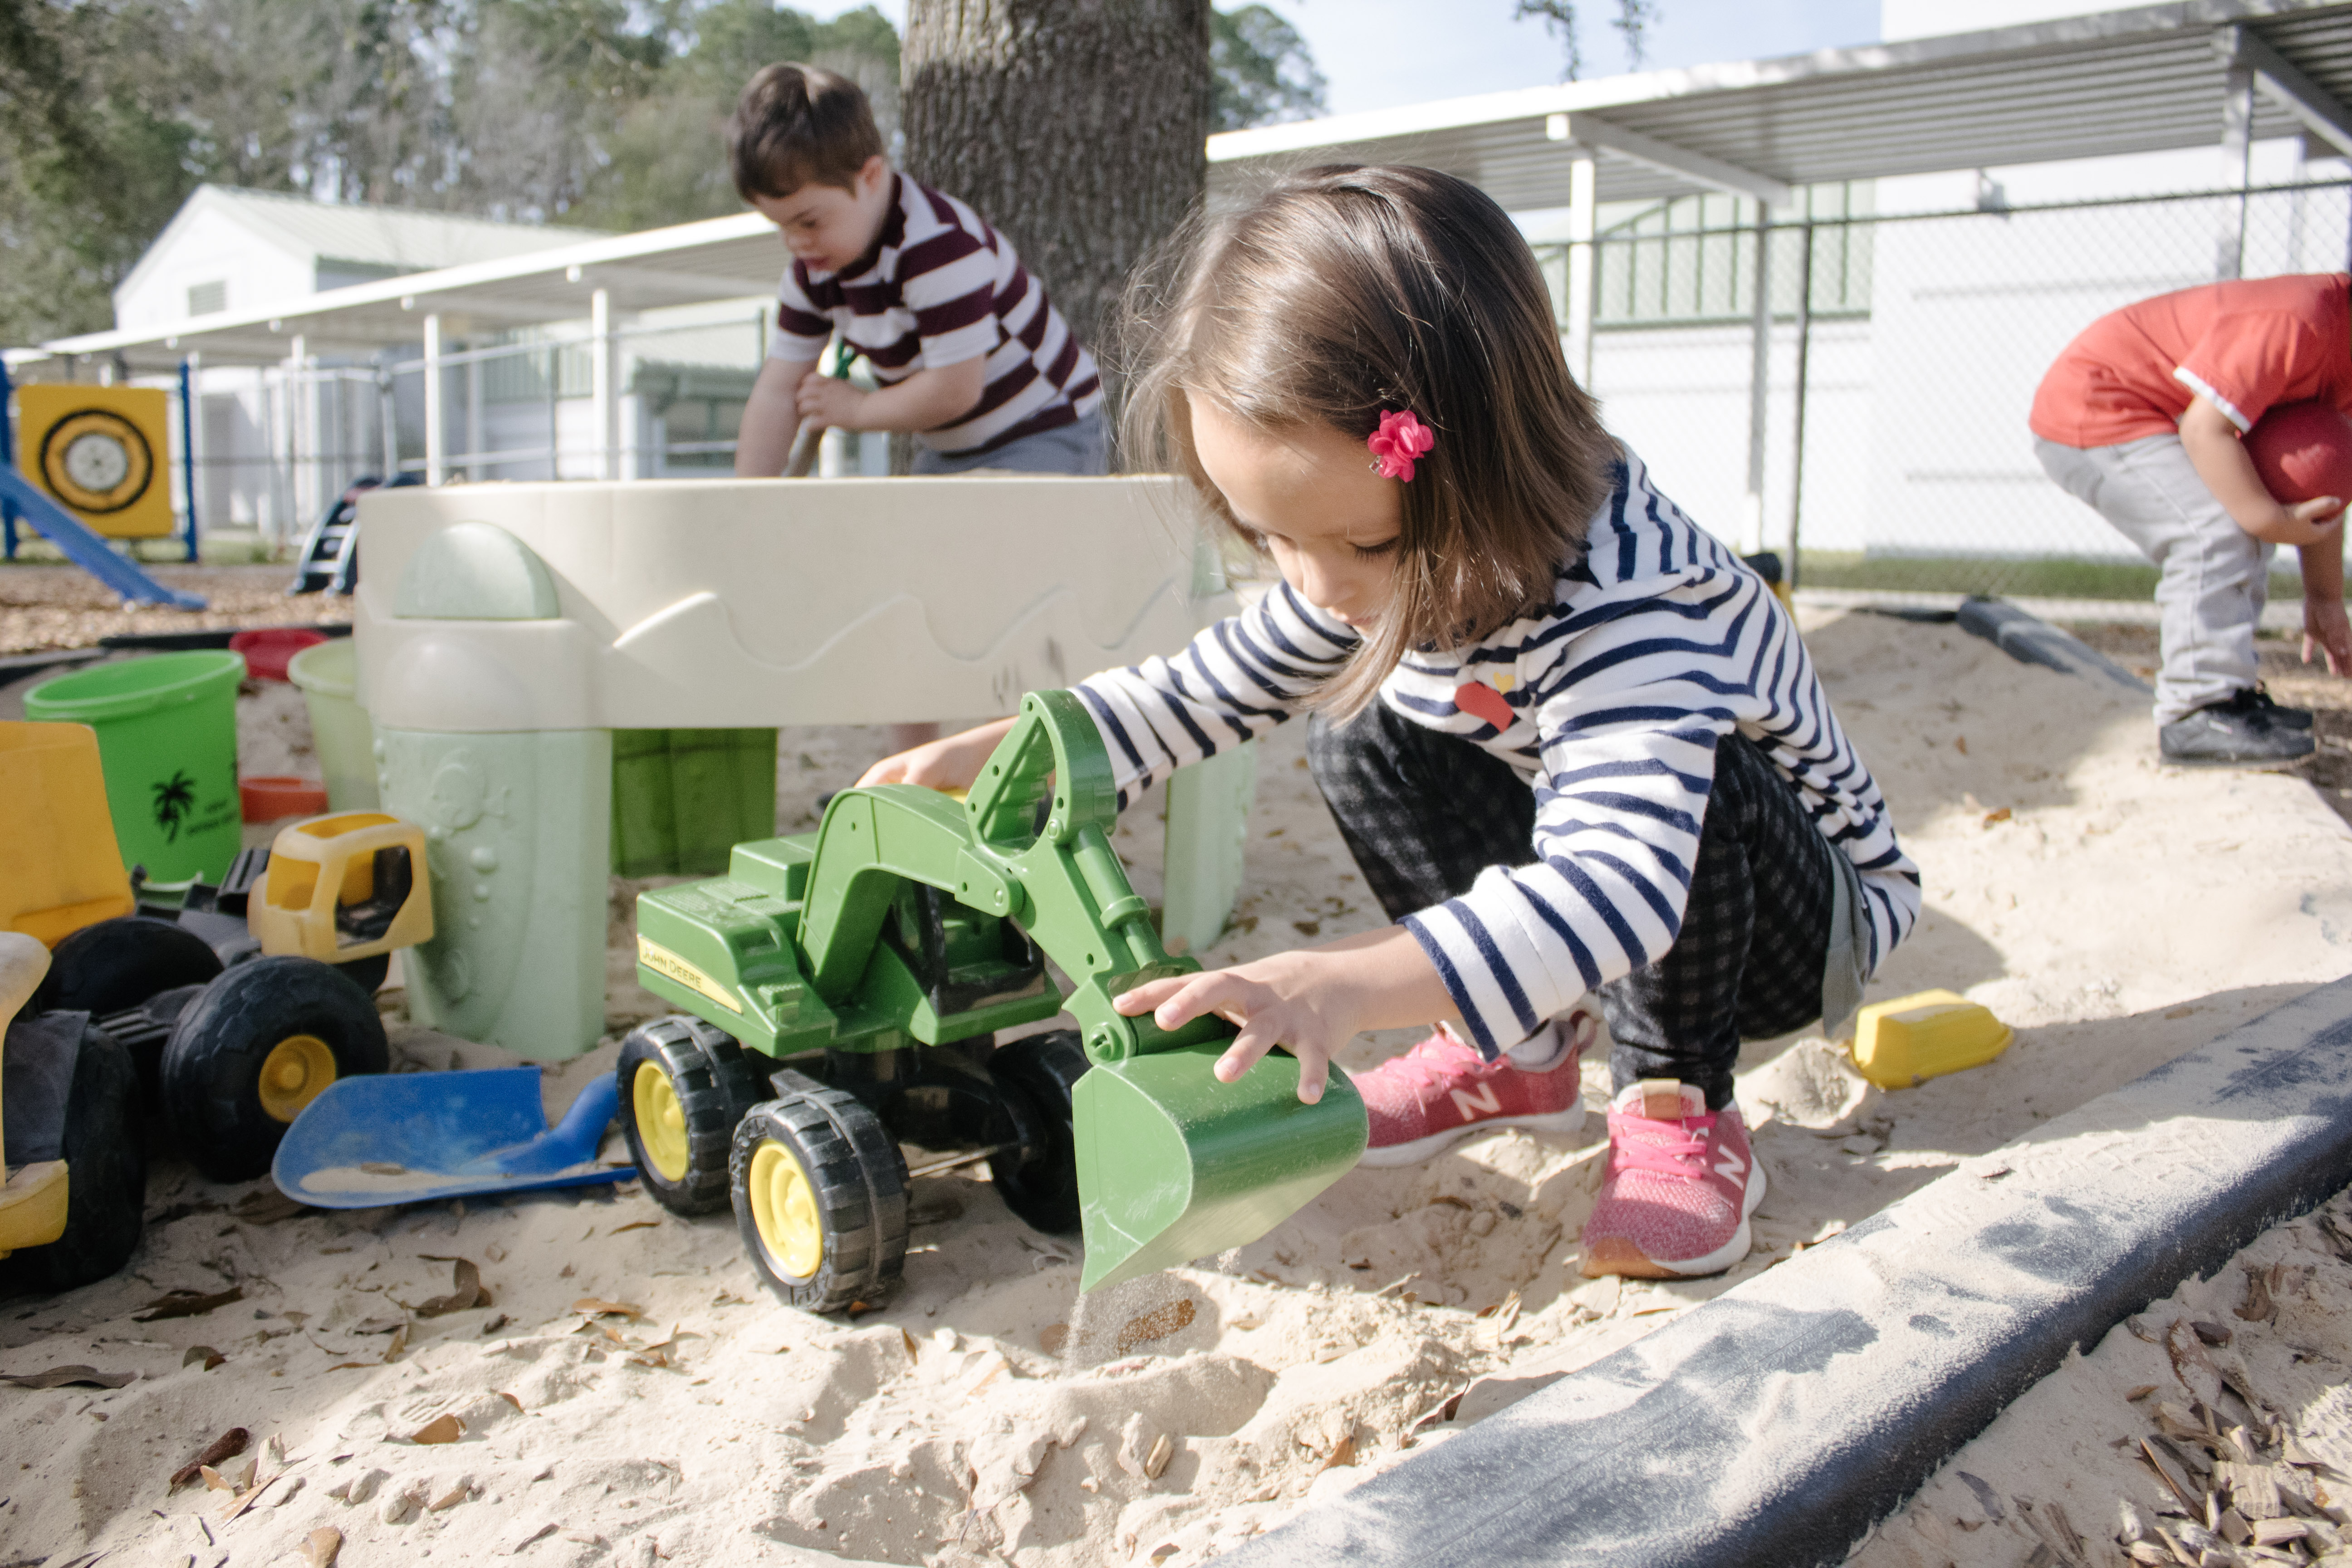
pixel 1678 1188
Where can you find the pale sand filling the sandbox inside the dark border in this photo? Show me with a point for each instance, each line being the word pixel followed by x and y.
pixel 2111 911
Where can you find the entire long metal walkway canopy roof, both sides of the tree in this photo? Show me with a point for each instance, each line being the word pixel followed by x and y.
pixel 2139 81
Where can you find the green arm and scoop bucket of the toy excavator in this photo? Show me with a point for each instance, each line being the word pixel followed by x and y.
pixel 1170 1162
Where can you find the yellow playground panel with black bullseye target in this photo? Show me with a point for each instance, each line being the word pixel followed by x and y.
pixel 102 453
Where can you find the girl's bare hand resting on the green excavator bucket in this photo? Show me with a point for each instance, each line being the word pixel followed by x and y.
pixel 1309 1003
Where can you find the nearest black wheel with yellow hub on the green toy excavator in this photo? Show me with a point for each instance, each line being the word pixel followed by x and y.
pixel 820 1195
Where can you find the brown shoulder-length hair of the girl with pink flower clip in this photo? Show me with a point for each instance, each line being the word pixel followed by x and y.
pixel 1349 290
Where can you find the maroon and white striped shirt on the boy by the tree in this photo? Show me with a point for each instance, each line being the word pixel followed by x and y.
pixel 942 288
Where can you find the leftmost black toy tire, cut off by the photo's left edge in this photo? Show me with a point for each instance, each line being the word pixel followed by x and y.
pixel 105 1177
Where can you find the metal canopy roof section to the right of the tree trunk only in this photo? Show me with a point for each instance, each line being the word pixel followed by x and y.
pixel 2134 81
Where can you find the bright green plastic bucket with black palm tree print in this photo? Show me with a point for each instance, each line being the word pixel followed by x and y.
pixel 168 746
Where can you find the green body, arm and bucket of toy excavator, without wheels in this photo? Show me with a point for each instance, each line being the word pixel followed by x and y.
pixel 909 916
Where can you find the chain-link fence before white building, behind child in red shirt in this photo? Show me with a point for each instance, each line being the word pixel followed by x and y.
pixel 1904 359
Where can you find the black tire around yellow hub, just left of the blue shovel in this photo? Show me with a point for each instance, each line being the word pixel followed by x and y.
pixel 213 1061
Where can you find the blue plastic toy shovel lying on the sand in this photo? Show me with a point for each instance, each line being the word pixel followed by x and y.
pixel 422 1137
